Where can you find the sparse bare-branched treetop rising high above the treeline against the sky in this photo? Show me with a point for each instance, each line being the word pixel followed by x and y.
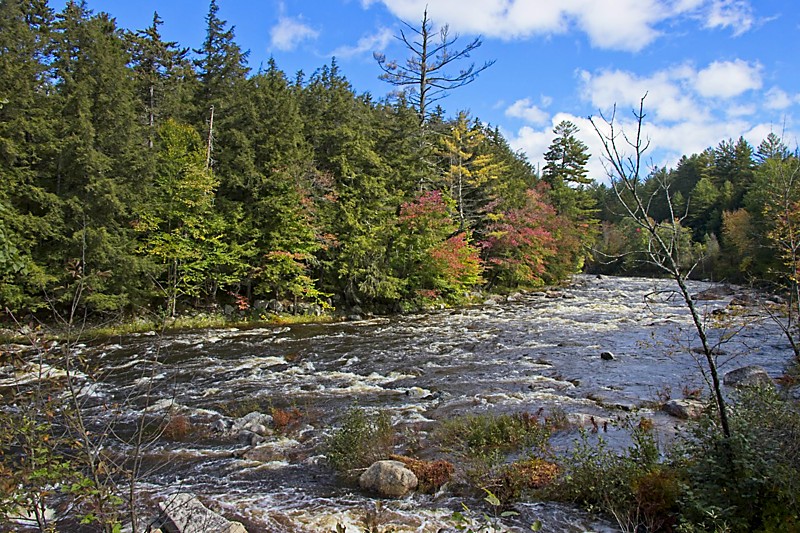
pixel 426 73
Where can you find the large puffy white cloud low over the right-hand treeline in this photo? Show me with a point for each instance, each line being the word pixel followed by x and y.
pixel 688 109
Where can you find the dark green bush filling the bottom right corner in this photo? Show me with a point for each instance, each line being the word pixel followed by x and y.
pixel 750 481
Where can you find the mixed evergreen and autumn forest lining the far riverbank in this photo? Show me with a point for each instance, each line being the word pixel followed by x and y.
pixel 139 176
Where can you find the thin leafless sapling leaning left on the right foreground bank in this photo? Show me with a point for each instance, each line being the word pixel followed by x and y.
pixel 664 248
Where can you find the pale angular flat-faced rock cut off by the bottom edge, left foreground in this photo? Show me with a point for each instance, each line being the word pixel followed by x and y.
pixel 184 513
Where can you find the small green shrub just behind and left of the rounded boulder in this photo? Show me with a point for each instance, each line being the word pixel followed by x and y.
pixel 361 440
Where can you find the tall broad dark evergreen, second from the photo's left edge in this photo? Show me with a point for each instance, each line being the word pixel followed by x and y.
pixel 98 162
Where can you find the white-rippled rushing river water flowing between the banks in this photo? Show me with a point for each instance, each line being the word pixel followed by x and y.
pixel 539 350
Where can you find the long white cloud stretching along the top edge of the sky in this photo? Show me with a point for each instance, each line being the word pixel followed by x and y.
pixel 628 25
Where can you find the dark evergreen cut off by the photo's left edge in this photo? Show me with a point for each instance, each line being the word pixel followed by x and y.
pixel 29 214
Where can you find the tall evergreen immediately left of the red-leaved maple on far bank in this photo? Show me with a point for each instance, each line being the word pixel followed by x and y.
pixel 357 209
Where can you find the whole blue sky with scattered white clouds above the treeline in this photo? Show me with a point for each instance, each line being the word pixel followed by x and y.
pixel 713 69
